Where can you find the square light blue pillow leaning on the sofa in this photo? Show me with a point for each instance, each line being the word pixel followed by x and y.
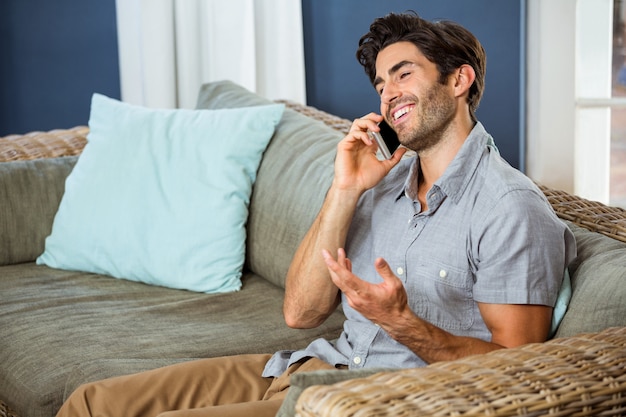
pixel 162 196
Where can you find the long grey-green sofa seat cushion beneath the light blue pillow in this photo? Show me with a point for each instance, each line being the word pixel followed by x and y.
pixel 55 323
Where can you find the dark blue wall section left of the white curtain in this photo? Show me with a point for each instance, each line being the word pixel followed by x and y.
pixel 55 55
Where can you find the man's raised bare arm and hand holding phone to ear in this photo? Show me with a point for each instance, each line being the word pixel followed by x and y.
pixel 310 295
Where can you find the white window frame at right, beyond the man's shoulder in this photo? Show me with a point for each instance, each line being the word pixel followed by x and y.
pixel 569 95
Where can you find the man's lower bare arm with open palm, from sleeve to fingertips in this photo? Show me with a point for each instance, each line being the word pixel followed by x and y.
pixel 386 305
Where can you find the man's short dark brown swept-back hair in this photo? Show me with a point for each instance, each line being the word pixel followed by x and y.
pixel 447 44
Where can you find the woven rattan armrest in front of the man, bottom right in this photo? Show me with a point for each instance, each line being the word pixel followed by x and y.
pixel 578 376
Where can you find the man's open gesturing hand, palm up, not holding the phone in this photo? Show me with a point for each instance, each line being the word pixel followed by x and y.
pixel 382 303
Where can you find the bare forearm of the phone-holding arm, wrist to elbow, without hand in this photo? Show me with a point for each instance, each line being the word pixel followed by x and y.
pixel 310 295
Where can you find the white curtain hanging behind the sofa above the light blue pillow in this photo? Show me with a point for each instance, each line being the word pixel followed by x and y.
pixel 169 48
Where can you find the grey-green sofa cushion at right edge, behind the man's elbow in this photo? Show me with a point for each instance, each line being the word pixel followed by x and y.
pixel 598 284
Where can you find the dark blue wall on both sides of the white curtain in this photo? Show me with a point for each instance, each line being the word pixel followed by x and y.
pixel 55 55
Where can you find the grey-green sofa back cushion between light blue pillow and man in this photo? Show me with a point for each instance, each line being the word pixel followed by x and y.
pixel 299 159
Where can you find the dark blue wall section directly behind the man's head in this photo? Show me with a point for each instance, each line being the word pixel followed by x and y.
pixel 336 81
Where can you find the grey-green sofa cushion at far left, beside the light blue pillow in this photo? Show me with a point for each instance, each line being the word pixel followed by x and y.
pixel 30 192
